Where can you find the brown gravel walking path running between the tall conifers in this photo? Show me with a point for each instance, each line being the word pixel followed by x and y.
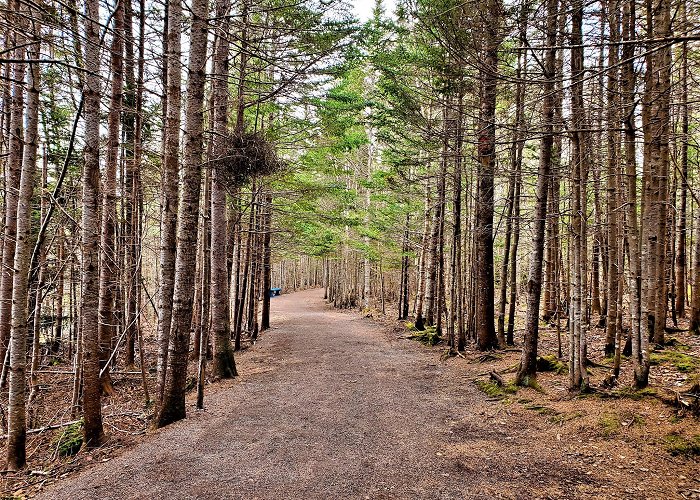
pixel 331 405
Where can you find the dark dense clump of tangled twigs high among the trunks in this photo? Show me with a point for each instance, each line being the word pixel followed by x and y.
pixel 248 155
